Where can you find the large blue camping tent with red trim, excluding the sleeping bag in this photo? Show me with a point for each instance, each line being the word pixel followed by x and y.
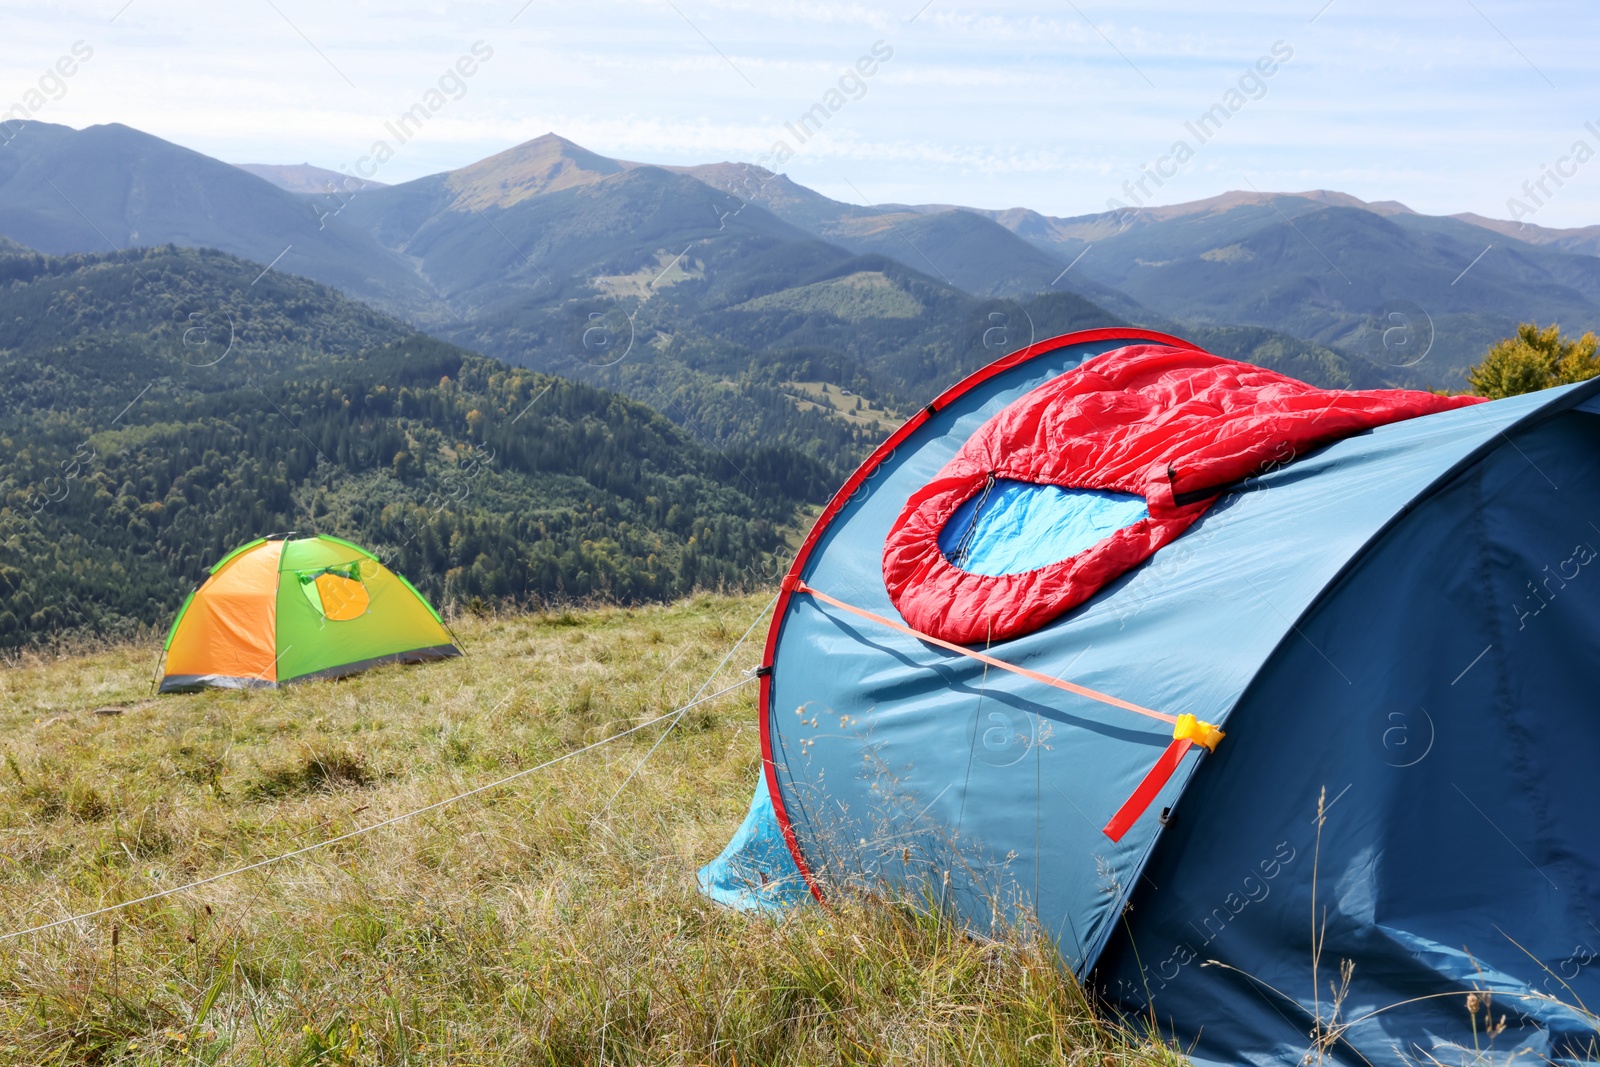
pixel 1401 636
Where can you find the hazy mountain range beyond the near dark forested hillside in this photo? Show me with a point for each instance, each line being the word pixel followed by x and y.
pixel 724 294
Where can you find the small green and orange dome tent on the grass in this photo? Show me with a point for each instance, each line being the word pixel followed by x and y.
pixel 294 609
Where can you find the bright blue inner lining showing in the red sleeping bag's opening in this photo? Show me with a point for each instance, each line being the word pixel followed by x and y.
pixel 1022 527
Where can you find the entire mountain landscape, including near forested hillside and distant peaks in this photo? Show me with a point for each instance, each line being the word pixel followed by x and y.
pixel 198 353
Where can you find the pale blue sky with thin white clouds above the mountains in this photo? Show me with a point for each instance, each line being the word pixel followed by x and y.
pixel 1446 106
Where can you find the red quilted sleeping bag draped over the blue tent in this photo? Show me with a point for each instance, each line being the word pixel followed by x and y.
pixel 1174 426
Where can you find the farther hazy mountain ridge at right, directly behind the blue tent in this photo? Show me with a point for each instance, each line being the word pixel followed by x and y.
pixel 1375 281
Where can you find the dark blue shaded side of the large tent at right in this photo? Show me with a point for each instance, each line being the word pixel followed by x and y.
pixel 1442 701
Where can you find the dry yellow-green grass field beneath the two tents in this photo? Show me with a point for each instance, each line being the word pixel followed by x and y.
pixel 527 925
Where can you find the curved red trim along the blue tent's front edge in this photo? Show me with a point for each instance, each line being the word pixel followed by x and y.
pixel 855 482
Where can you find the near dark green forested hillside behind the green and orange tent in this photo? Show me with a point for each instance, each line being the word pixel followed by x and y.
pixel 162 407
